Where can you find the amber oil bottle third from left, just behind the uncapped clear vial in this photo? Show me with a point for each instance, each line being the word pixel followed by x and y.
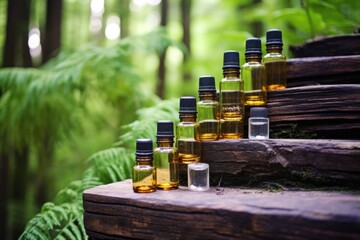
pixel 186 138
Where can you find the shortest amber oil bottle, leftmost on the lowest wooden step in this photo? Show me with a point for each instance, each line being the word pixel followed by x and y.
pixel 144 173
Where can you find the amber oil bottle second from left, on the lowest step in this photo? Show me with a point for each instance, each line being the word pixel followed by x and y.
pixel 166 157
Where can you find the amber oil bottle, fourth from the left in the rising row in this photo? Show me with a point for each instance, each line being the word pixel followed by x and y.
pixel 208 110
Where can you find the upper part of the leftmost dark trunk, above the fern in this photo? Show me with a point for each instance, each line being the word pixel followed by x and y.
pixel 16 50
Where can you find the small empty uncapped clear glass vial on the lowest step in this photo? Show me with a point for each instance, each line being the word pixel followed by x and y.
pixel 198 177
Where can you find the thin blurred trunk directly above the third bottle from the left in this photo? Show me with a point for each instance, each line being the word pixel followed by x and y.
pixel 185 19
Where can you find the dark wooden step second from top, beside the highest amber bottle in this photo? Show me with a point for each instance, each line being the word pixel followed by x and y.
pixel 323 70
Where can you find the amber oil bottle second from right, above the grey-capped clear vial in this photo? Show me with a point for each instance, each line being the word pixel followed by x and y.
pixel 253 74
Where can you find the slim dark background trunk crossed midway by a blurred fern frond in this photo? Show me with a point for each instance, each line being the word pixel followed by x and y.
pixel 162 70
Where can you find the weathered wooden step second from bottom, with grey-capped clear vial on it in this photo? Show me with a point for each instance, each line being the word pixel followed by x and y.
pixel 328 162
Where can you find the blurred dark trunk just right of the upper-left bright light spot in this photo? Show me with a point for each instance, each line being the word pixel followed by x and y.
pixel 52 34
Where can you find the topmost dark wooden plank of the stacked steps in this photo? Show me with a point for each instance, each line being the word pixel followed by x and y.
pixel 328 46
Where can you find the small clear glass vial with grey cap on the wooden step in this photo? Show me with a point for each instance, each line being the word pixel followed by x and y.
pixel 258 123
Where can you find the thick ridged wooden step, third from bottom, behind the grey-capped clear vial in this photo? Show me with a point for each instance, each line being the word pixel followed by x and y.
pixel 330 111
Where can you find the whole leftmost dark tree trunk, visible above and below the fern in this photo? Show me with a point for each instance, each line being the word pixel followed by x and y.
pixel 16 54
